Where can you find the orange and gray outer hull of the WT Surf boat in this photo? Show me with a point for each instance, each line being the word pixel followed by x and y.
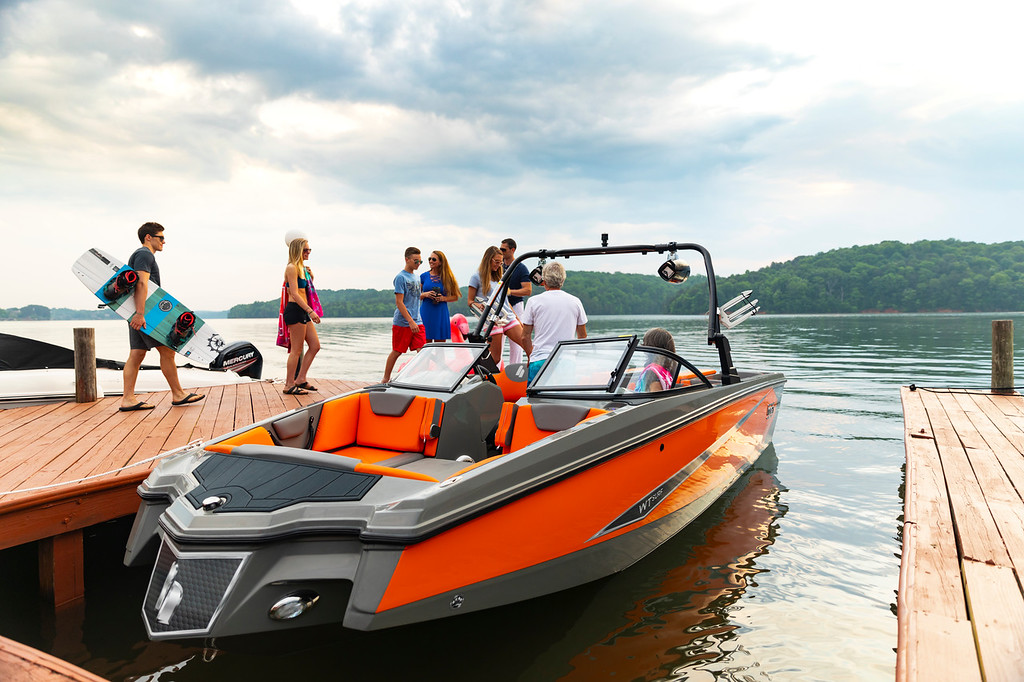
pixel 593 508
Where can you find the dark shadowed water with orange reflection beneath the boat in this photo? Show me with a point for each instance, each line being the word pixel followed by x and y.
pixel 670 617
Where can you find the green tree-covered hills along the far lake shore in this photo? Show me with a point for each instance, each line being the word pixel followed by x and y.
pixel 930 276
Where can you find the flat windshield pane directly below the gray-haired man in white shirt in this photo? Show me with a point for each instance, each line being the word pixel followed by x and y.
pixel 587 365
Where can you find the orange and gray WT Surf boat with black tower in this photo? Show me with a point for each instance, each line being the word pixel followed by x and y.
pixel 455 488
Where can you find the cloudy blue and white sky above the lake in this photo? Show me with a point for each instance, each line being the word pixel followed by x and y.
pixel 764 131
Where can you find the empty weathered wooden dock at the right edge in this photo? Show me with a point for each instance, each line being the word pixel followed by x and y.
pixel 961 606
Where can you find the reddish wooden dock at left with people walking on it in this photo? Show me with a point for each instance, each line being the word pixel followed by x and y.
pixel 66 466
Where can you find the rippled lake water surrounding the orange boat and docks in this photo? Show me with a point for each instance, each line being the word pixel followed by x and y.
pixel 791 577
